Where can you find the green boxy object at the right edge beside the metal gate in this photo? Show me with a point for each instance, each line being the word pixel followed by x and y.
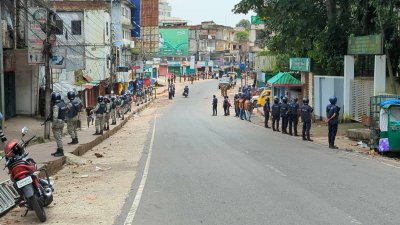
pixel 390 126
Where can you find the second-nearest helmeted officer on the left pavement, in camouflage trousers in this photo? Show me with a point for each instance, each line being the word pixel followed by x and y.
pixel 72 117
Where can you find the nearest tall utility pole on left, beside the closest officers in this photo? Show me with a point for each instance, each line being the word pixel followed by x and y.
pixel 47 49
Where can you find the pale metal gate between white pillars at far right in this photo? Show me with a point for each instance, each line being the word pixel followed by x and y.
pixel 361 92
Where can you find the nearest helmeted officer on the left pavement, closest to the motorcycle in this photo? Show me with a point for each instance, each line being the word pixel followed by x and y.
pixel 58 117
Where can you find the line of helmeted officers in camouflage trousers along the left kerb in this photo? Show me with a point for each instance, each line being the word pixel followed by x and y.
pixel 106 108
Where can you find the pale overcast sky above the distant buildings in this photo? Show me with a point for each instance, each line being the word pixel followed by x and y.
pixel 196 11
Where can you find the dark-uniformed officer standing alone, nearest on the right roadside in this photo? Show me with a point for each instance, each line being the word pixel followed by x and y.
pixel 332 115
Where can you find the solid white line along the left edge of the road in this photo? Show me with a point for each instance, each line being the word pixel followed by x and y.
pixel 135 205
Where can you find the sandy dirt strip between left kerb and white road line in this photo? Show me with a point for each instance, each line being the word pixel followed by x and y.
pixel 94 193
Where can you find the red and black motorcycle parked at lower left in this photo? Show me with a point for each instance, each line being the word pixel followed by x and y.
pixel 35 193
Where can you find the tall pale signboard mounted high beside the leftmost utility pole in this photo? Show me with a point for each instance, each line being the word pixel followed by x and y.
pixel 37 18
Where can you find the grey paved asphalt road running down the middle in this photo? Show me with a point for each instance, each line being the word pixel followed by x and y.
pixel 220 170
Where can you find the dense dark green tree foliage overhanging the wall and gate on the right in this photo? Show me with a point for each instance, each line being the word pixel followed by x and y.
pixel 320 29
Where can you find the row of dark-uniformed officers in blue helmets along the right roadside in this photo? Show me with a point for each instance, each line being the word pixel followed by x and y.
pixel 289 113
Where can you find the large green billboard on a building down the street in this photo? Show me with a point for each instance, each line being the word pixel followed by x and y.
pixel 174 42
